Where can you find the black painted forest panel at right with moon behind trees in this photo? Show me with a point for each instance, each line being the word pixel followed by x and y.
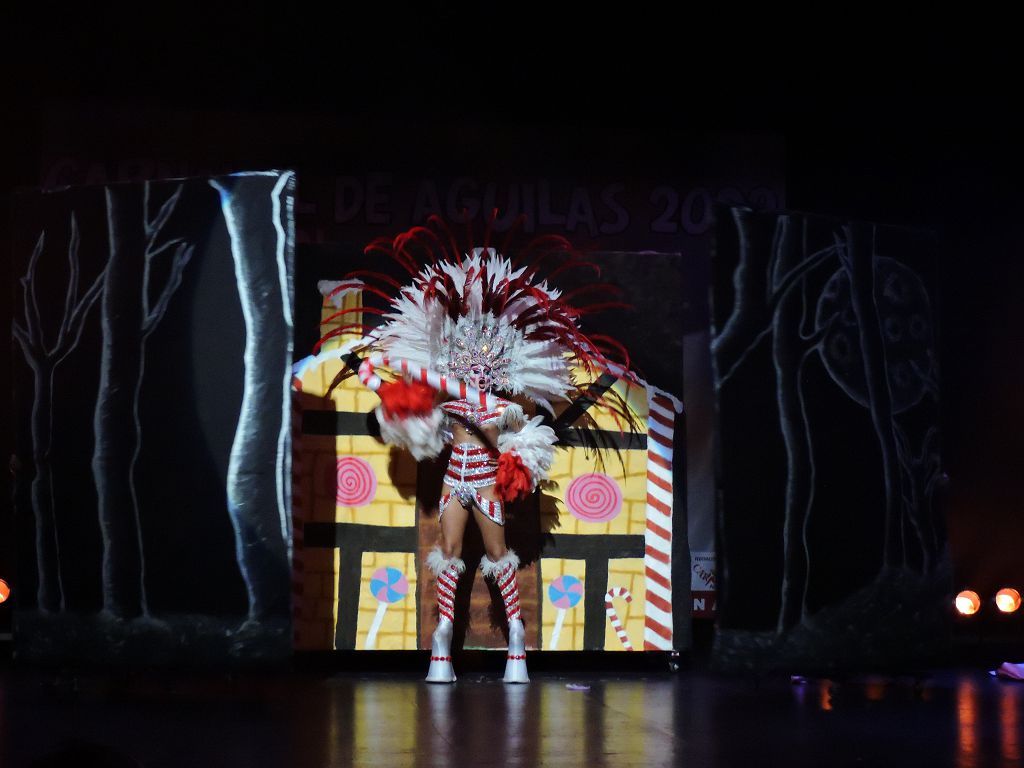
pixel 830 483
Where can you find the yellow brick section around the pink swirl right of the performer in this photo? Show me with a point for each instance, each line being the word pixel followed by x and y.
pixel 573 463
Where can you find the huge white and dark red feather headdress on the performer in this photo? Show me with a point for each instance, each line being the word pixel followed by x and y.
pixel 463 313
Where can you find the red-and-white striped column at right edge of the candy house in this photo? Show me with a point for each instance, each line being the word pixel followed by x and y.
pixel 658 536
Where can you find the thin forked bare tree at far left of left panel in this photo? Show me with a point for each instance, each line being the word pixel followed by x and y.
pixel 45 358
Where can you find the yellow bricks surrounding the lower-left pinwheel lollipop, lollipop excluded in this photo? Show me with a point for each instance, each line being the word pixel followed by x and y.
pixel 398 631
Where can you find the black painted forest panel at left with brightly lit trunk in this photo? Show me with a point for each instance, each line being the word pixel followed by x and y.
pixel 152 346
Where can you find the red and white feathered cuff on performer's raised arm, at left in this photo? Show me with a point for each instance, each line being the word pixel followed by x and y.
pixel 408 419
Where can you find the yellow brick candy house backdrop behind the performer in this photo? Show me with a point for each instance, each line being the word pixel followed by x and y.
pixel 596 542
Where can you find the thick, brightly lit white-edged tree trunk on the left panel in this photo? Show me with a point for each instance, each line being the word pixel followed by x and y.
pixel 259 474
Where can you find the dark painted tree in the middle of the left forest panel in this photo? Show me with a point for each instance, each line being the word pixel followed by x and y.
pixel 131 313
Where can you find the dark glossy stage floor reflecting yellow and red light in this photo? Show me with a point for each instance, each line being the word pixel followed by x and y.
pixel 960 718
